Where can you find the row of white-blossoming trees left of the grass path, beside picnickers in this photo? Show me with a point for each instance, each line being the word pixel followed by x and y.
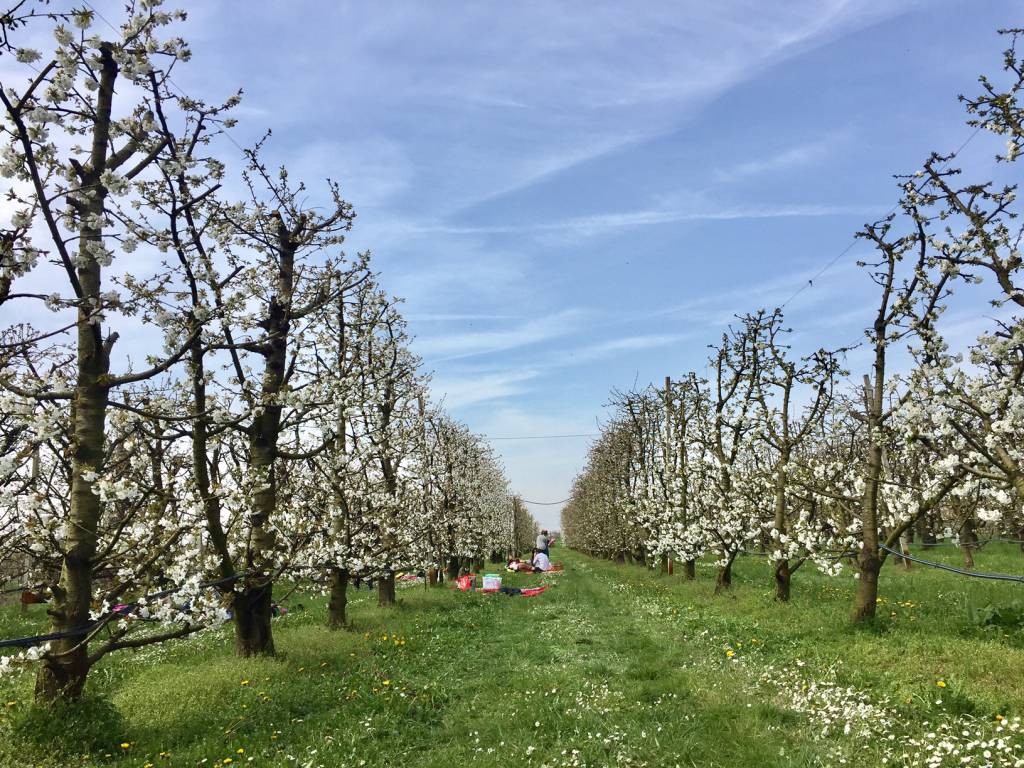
pixel 200 393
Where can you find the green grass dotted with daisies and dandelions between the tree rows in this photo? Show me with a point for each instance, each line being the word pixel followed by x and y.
pixel 613 666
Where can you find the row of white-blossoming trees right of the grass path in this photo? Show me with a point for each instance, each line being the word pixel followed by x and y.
pixel 785 455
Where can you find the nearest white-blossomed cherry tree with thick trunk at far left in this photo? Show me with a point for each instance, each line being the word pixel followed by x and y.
pixel 79 142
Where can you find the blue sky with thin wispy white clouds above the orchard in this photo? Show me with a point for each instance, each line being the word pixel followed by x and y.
pixel 574 197
